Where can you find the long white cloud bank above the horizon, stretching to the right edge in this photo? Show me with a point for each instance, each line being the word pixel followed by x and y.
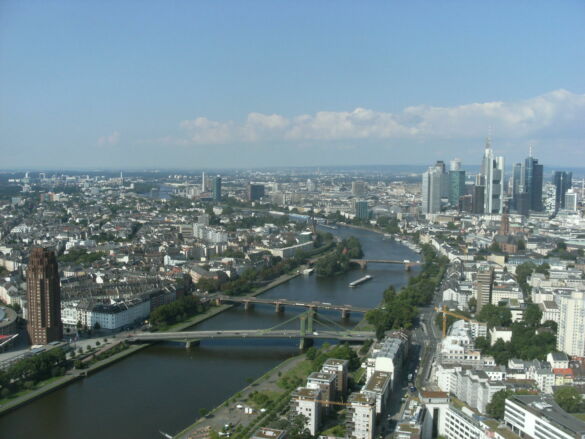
pixel 557 111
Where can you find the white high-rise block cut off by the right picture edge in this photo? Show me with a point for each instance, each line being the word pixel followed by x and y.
pixel 570 338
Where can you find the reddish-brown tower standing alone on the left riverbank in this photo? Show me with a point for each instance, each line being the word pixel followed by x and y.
pixel 43 294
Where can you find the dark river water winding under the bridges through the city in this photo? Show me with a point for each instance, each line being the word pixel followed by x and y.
pixel 164 386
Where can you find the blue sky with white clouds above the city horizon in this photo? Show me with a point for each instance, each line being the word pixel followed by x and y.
pixel 193 84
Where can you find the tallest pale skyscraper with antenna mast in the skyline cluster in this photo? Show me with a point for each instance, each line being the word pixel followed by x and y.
pixel 492 174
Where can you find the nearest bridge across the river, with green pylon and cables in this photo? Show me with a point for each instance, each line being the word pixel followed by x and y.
pixel 329 330
